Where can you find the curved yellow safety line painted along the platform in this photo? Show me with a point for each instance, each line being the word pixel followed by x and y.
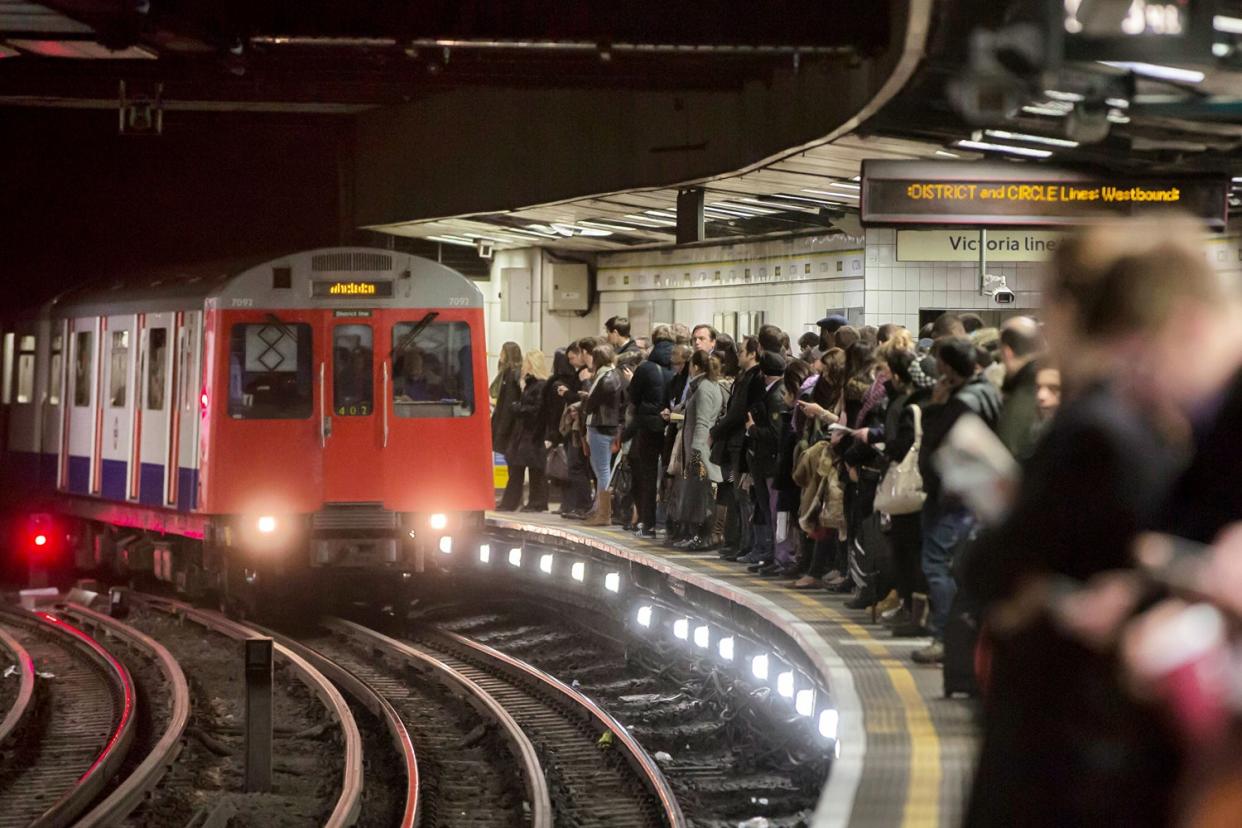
pixel 923 790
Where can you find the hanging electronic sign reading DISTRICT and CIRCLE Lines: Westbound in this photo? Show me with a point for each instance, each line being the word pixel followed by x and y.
pixel 967 193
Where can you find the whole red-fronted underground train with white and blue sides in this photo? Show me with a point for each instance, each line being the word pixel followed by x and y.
pixel 322 410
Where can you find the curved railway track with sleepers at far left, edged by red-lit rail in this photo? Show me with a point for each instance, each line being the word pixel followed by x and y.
pixel 75 728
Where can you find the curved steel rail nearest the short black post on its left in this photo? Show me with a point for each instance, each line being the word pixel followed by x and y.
pixel 135 789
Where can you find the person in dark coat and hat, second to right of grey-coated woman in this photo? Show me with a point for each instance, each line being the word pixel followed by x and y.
pixel 764 425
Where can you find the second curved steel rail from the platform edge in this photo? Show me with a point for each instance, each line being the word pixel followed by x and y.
pixel 520 743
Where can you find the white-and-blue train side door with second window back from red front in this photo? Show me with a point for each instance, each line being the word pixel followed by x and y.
pixel 117 408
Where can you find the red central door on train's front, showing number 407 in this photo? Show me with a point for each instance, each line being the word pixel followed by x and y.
pixel 352 412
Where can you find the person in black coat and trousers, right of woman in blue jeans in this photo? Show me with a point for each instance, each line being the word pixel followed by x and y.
pixel 646 428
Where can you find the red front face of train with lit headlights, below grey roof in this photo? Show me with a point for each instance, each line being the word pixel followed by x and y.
pixel 357 436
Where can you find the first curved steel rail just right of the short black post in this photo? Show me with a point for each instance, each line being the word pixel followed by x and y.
pixel 351 800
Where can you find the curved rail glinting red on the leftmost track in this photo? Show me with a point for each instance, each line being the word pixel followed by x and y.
pixel 106 765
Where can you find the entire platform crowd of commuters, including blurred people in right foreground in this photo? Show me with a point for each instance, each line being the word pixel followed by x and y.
pixel 1106 574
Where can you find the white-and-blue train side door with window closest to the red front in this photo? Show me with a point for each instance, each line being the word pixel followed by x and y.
pixel 153 412
